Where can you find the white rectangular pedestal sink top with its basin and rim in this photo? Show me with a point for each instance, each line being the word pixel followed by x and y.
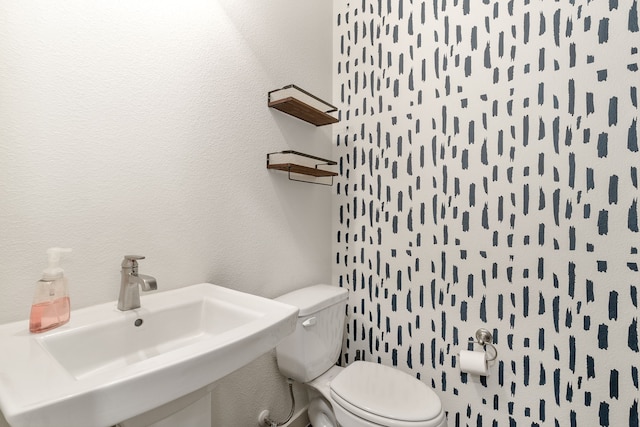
pixel 105 365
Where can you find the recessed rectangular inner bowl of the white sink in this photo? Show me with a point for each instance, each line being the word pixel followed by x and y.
pixel 115 343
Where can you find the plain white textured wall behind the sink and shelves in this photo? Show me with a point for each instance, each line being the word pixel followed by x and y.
pixel 141 127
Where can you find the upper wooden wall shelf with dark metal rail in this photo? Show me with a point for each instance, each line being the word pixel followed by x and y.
pixel 301 104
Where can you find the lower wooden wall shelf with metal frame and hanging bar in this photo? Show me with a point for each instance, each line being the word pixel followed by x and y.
pixel 302 167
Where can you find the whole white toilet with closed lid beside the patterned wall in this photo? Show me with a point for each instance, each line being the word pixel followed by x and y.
pixel 363 394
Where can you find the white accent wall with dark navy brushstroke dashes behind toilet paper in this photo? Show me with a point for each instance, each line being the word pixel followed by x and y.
pixel 488 153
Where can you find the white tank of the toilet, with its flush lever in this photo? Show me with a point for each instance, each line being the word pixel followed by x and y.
pixel 314 346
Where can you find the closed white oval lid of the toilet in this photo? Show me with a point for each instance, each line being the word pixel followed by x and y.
pixel 370 388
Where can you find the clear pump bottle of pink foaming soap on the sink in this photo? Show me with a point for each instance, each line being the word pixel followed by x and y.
pixel 51 306
